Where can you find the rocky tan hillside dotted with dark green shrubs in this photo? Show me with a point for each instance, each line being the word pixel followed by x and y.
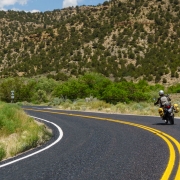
pixel 121 39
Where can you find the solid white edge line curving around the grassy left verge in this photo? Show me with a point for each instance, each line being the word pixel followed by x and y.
pixel 47 147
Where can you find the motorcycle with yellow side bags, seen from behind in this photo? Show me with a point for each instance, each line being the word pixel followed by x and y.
pixel 167 112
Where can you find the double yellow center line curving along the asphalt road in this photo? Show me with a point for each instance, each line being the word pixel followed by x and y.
pixel 167 138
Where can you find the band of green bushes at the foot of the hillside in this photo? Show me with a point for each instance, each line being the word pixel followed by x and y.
pixel 49 91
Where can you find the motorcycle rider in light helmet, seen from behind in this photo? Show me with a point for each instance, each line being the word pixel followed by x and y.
pixel 162 100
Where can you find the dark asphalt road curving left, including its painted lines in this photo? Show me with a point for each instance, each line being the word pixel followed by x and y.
pixel 98 146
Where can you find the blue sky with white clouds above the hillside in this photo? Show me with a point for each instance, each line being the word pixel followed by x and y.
pixel 44 5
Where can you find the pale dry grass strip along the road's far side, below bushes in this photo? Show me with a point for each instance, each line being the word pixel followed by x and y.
pixel 141 108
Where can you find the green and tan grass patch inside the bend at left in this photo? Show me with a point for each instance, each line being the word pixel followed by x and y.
pixel 18 131
